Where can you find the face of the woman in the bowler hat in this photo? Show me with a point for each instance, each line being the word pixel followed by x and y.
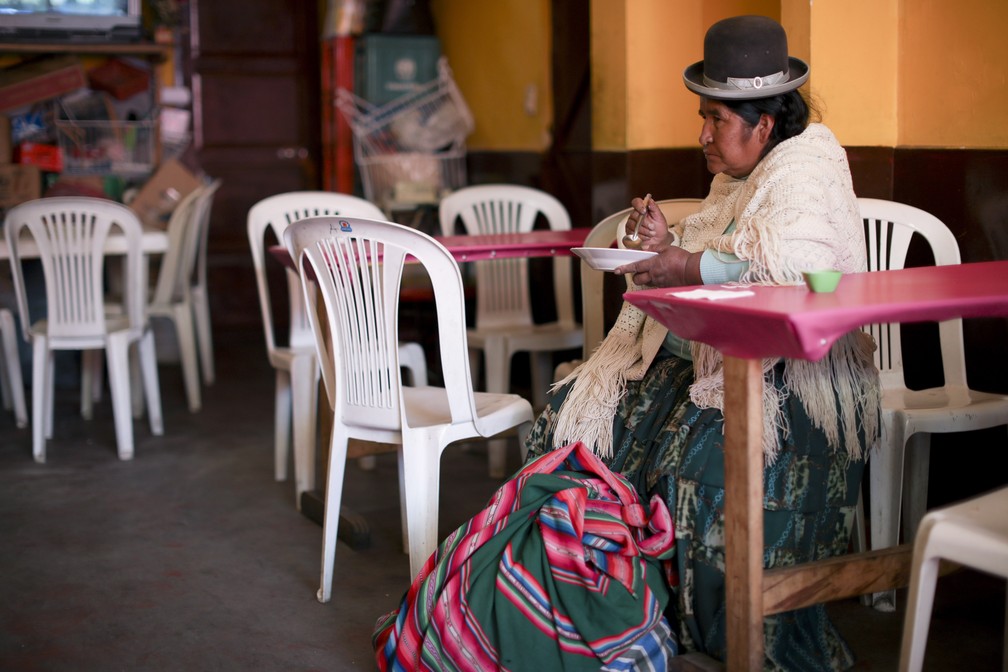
pixel 730 145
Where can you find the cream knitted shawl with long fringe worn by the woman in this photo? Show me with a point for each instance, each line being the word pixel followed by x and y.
pixel 797 211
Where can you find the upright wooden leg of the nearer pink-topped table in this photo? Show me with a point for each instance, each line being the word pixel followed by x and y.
pixel 744 512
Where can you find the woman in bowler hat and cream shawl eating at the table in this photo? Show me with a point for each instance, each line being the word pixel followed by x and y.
pixel 651 405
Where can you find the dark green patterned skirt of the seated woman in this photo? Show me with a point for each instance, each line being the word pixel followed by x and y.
pixel 666 445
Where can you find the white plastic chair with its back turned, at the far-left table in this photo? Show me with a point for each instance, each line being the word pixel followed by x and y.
pixel 71 234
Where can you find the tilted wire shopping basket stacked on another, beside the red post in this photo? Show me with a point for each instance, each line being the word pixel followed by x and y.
pixel 411 151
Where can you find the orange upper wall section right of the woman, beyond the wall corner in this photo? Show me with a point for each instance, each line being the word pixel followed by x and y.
pixel 913 73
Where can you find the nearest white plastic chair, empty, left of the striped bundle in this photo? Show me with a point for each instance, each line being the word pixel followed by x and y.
pixel 360 366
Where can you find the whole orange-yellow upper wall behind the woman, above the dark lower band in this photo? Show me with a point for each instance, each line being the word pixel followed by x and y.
pixel 889 73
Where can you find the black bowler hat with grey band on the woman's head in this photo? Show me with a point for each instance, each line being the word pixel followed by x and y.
pixel 745 58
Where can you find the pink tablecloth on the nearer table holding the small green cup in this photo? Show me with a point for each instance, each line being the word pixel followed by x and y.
pixel 795 323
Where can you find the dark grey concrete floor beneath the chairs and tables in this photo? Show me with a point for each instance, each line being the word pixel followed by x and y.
pixel 193 558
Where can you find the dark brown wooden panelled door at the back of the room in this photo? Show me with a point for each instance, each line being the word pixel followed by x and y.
pixel 255 70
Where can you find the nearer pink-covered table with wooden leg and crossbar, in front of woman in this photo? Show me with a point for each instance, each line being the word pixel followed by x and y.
pixel 794 323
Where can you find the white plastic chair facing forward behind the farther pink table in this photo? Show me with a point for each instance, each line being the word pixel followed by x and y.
pixel 505 324
